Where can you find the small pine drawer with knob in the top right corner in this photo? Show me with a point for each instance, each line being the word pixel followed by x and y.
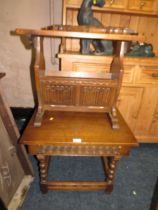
pixel 142 5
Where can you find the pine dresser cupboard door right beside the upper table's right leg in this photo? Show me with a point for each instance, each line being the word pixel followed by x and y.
pixel 129 104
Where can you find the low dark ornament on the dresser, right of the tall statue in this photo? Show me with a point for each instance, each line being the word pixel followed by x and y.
pixel 141 50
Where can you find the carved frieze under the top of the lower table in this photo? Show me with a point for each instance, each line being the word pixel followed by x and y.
pixel 80 150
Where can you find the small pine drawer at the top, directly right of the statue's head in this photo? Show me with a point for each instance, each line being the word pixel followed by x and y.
pixel 116 4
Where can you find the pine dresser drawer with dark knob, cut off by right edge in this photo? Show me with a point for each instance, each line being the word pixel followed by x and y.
pixel 147 75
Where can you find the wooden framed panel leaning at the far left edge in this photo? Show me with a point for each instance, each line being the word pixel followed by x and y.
pixel 16 172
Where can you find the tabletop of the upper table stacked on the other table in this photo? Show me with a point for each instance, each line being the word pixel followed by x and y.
pixel 80 32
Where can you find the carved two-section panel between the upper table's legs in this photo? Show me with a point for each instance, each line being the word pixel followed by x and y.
pixel 81 92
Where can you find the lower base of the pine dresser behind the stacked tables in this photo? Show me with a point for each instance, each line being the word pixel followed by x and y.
pixel 138 99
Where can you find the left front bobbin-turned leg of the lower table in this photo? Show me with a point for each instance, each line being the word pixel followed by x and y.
pixel 43 168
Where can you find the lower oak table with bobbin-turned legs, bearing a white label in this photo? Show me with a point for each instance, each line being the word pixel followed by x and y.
pixel 78 134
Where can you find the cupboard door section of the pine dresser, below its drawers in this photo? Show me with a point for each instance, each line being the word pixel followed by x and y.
pixel 138 107
